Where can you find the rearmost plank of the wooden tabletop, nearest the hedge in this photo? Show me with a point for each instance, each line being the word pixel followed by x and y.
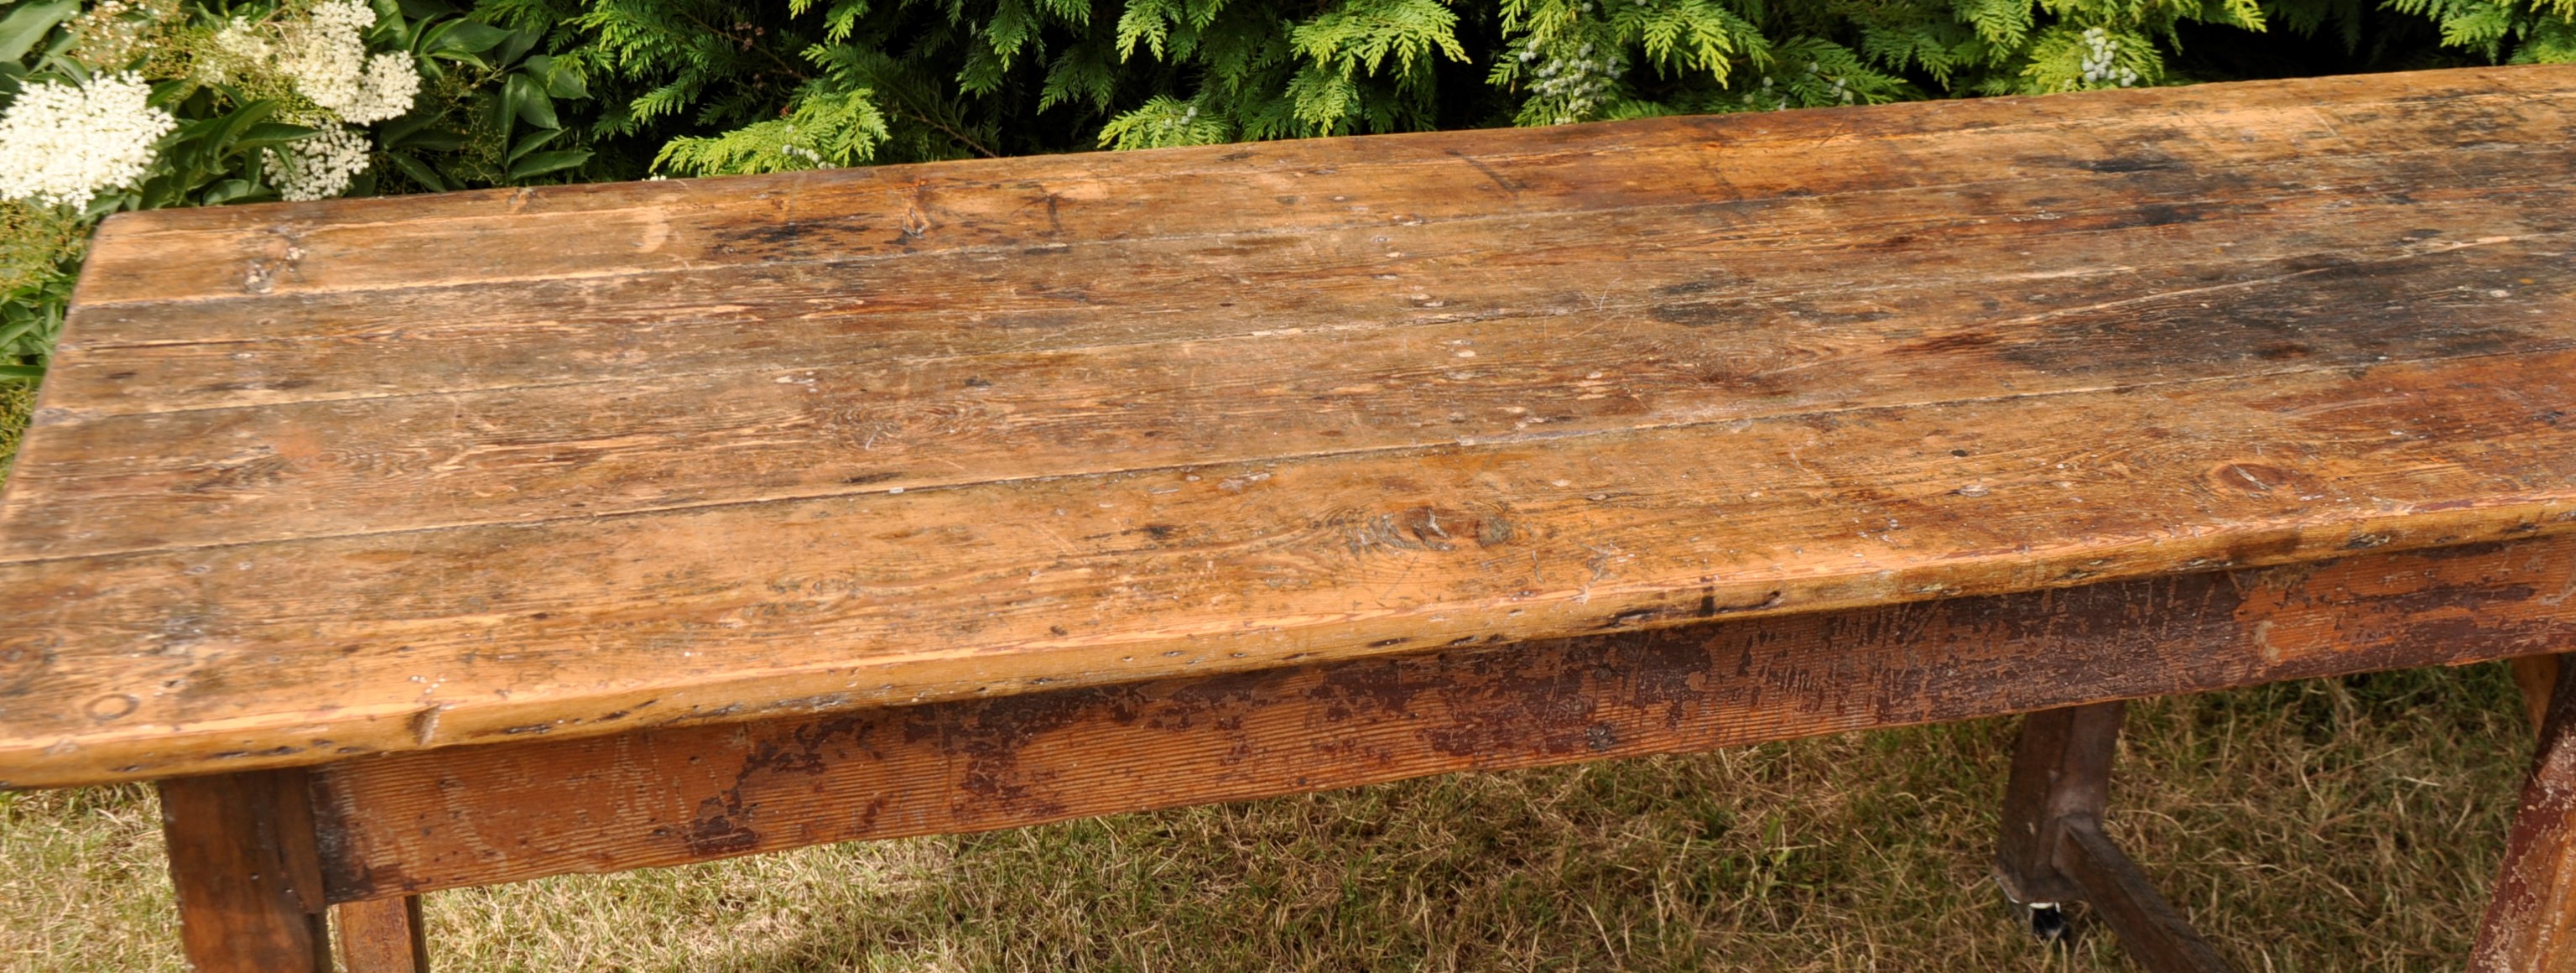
pixel 1271 189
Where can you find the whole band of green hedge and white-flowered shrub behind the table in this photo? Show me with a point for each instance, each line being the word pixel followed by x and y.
pixel 143 104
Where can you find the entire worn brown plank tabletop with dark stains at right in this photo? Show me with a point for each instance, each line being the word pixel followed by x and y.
pixel 393 475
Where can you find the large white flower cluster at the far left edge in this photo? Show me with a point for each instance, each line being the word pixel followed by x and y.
pixel 61 145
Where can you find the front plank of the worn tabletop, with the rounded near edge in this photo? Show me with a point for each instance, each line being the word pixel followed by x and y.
pixel 261 655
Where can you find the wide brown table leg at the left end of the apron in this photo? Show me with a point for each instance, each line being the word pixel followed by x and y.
pixel 246 871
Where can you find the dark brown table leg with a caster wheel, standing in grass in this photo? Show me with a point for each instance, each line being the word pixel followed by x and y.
pixel 2054 848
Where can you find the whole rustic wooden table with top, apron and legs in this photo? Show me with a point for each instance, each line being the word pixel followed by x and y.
pixel 468 539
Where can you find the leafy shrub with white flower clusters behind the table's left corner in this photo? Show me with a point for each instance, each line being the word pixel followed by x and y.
pixel 146 104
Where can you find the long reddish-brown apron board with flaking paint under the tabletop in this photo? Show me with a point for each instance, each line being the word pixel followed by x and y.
pixel 493 815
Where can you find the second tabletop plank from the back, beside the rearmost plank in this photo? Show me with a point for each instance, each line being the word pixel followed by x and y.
pixel 1065 297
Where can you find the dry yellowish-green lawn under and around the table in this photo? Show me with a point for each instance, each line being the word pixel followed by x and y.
pixel 2338 825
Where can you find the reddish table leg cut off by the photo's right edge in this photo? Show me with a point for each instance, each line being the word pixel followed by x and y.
pixel 2531 923
